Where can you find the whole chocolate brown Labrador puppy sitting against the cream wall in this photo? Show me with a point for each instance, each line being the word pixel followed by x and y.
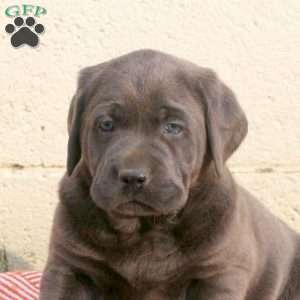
pixel 148 209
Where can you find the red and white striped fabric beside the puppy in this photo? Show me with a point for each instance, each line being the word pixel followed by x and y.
pixel 20 285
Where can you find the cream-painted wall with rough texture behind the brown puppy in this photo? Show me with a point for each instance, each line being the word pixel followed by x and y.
pixel 253 45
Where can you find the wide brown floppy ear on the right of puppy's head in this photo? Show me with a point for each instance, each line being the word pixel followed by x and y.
pixel 226 123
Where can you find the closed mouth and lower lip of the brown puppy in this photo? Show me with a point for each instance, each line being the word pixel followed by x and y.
pixel 135 208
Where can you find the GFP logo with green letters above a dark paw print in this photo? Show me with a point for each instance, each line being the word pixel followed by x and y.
pixel 26 29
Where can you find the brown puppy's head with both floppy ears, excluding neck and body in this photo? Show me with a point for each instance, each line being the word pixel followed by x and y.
pixel 145 125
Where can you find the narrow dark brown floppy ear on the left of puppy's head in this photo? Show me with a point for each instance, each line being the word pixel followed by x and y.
pixel 74 123
